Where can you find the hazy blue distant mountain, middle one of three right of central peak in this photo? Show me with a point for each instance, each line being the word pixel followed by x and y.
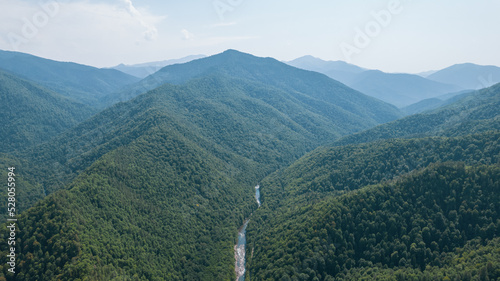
pixel 399 89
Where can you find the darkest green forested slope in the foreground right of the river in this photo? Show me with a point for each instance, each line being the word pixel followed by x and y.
pixel 411 223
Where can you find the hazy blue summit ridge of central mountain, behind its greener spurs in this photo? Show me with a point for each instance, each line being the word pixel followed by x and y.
pixel 314 90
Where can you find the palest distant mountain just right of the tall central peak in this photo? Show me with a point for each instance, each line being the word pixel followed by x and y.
pixel 338 70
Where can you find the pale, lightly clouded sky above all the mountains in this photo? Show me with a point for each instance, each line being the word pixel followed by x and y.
pixel 390 35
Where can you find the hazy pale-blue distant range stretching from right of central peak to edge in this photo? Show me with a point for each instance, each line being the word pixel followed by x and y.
pixel 404 89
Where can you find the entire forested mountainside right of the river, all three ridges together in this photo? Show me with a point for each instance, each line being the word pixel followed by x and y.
pixel 389 209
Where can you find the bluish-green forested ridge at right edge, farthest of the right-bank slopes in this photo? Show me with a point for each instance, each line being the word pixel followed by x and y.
pixel 473 113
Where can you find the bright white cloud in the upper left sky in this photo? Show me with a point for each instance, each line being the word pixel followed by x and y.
pixel 90 32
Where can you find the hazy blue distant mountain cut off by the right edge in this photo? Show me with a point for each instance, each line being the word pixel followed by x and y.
pixel 468 75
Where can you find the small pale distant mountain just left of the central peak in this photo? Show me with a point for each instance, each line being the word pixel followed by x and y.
pixel 145 69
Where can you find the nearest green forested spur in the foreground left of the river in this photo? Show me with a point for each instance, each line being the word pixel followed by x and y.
pixel 159 208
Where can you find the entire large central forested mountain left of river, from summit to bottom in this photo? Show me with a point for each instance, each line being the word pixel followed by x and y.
pixel 155 188
